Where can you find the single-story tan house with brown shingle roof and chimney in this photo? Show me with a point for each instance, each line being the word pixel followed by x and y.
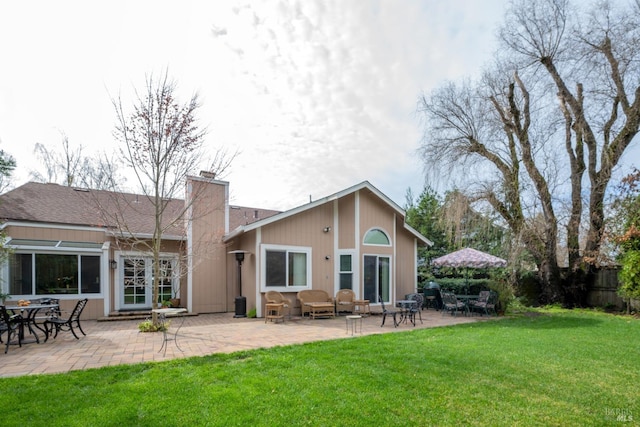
pixel 72 243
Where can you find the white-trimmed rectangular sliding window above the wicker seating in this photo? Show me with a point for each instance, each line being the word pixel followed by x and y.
pixel 286 268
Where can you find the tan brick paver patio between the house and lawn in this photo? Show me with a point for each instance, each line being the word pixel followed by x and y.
pixel 118 342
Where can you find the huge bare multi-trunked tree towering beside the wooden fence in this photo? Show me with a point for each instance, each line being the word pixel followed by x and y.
pixel 562 101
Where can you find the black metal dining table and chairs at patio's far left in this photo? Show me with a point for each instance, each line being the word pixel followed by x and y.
pixel 43 315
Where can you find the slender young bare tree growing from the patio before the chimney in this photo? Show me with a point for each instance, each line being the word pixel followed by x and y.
pixel 162 144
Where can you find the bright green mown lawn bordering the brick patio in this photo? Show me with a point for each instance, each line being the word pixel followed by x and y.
pixel 558 368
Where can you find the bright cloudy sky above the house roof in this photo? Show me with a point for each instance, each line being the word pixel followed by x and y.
pixel 316 95
